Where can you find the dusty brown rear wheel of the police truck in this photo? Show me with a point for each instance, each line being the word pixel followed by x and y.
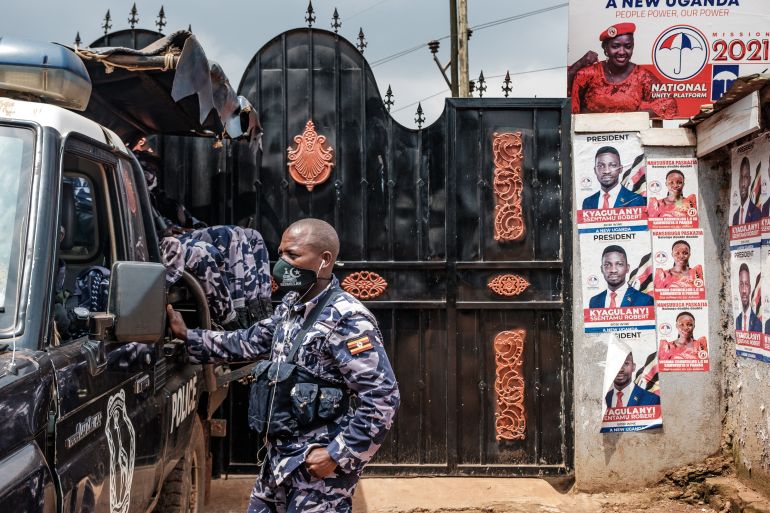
pixel 185 486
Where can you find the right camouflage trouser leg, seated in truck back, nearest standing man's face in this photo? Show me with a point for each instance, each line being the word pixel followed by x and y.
pixel 247 264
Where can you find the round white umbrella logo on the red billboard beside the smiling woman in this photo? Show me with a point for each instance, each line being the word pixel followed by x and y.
pixel 680 52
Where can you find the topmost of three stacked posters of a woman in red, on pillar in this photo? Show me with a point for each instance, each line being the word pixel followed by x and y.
pixel 672 193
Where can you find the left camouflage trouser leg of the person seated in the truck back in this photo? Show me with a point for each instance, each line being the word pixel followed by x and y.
pixel 207 264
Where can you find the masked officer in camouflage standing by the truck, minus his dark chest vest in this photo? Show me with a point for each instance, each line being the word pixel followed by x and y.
pixel 313 470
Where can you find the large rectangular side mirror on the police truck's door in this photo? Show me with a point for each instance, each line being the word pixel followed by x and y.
pixel 137 301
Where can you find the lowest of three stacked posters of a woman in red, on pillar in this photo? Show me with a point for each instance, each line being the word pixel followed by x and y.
pixel 682 336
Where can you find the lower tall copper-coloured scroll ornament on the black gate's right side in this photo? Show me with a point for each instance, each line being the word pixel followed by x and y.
pixel 511 417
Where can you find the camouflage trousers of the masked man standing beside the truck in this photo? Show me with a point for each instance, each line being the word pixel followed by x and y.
pixel 302 493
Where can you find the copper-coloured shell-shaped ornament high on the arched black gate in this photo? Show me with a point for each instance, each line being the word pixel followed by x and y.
pixel 309 163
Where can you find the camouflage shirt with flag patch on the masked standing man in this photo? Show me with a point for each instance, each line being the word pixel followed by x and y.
pixel 343 346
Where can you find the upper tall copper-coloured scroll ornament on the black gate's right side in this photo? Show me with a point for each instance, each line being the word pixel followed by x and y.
pixel 508 186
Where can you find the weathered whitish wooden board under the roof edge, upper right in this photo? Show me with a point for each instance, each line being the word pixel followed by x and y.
pixel 729 124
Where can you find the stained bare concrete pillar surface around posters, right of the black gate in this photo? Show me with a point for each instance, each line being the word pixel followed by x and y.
pixel 692 403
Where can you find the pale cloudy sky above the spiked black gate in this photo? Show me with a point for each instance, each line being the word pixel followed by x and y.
pixel 233 35
